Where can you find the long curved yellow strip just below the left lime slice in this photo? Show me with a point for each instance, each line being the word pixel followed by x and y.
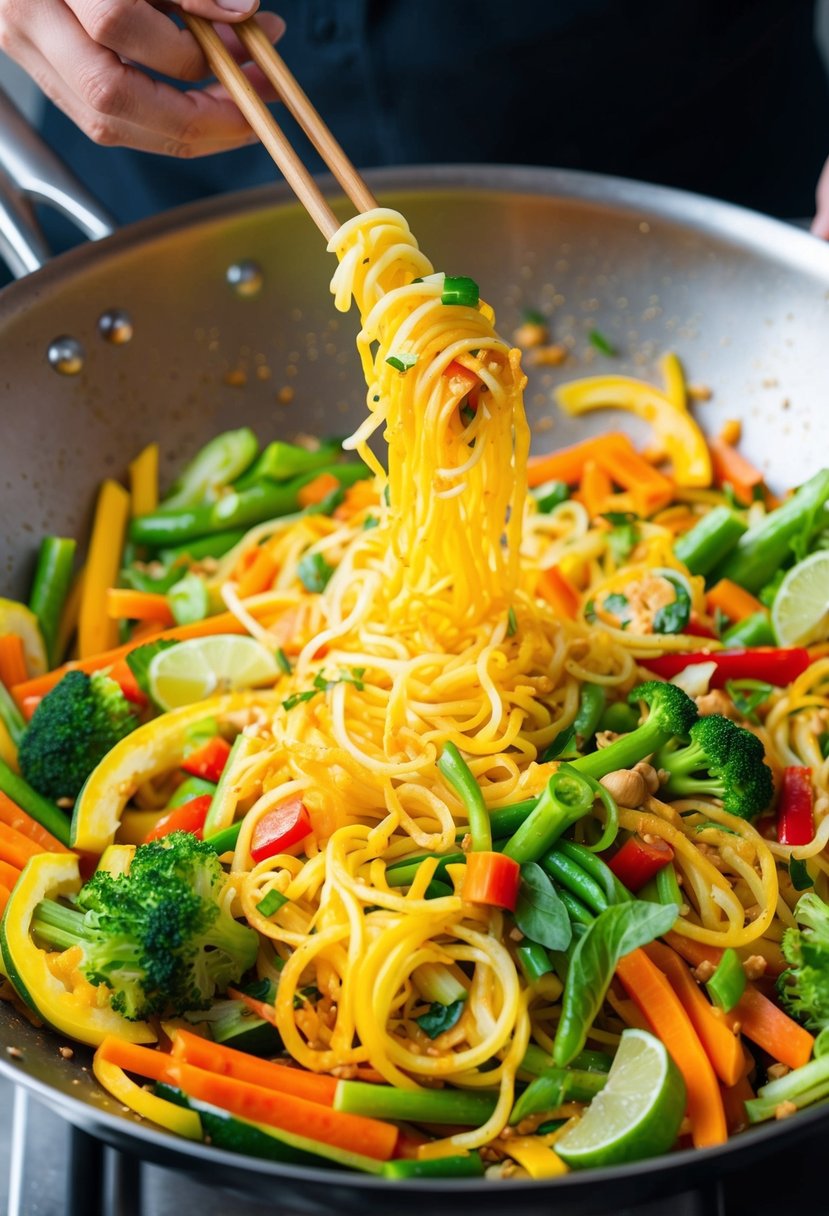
pixel 149 752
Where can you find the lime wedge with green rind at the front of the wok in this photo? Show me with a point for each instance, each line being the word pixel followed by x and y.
pixel 639 1112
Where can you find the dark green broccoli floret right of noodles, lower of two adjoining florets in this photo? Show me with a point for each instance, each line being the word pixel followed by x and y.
pixel 723 761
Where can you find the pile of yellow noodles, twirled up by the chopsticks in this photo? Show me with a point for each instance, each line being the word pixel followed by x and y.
pixel 432 630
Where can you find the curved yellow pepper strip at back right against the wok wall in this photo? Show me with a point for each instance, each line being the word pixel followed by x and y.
pixel 676 430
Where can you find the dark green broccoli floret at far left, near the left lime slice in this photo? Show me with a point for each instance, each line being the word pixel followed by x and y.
pixel 71 731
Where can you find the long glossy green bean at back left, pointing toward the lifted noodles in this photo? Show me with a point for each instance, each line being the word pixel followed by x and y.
pixel 263 502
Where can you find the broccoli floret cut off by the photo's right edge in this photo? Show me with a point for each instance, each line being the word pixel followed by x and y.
pixel 804 989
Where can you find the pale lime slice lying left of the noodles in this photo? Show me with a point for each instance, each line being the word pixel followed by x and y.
pixel 202 667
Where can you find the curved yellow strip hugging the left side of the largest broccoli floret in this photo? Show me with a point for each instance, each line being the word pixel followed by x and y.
pixel 69 1011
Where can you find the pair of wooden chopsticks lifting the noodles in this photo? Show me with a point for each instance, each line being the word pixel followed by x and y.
pixel 230 75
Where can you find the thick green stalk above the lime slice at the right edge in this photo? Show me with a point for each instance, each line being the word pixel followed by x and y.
pixel 765 548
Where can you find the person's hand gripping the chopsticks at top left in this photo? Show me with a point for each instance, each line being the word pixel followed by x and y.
pixel 89 58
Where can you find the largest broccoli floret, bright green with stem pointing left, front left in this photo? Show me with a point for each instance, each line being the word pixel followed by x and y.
pixel 159 937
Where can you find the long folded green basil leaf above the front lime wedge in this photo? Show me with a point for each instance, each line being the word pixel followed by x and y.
pixel 617 932
